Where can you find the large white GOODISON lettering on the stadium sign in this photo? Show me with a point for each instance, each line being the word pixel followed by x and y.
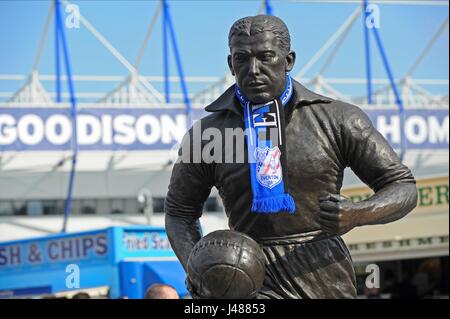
pixel 48 131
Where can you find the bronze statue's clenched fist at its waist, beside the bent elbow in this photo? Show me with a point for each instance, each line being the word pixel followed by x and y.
pixel 337 214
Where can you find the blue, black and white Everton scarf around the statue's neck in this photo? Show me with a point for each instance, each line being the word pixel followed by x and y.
pixel 265 124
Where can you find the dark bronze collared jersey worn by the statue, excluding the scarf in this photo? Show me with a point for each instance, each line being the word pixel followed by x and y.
pixel 323 137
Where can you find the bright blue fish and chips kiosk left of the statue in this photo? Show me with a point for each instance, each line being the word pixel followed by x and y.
pixel 103 258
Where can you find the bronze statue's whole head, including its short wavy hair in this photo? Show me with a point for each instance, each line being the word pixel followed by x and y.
pixel 260 56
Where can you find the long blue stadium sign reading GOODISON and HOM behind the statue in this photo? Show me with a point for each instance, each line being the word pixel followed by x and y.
pixel 32 129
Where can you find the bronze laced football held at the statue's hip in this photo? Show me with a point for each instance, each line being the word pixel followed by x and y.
pixel 226 264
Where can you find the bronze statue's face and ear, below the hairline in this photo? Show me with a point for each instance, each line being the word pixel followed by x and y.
pixel 259 66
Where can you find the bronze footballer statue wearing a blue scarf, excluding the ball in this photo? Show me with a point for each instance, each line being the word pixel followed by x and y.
pixel 288 199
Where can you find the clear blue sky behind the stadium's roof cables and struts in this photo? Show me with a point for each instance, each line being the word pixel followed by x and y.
pixel 202 28
